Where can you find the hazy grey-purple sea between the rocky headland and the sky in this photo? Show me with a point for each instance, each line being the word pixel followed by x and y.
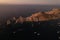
pixel 9 11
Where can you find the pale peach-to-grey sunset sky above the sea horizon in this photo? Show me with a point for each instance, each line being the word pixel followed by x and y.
pixel 42 2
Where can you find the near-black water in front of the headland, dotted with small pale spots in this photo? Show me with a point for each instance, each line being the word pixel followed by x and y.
pixel 45 30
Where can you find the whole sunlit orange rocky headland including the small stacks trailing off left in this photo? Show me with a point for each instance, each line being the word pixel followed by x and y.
pixel 40 16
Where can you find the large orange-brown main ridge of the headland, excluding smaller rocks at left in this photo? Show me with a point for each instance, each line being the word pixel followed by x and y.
pixel 44 16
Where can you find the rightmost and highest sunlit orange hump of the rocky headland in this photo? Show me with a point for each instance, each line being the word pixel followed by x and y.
pixel 54 13
